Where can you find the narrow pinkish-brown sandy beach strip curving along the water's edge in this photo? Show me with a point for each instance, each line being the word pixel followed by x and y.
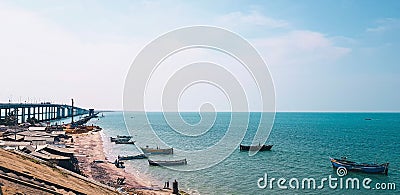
pixel 89 147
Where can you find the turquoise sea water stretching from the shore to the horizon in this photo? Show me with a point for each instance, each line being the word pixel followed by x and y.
pixel 303 143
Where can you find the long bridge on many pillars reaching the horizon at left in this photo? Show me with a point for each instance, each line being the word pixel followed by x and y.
pixel 41 112
